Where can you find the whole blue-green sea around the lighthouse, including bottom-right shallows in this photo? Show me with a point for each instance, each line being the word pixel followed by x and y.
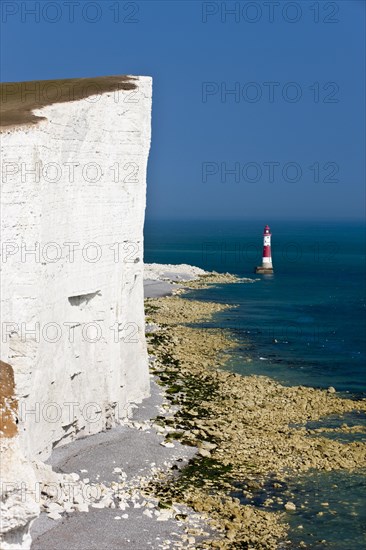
pixel 303 325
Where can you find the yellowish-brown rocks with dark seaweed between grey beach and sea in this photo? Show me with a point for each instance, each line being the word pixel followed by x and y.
pixel 242 426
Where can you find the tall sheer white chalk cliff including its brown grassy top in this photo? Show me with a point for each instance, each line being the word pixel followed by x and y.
pixel 73 203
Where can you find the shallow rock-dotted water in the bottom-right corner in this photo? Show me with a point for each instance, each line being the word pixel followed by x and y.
pixel 330 511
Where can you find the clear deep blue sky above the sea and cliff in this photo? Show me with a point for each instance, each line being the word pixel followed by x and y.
pixel 293 131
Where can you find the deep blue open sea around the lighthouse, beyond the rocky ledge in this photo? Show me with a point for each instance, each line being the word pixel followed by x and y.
pixel 305 324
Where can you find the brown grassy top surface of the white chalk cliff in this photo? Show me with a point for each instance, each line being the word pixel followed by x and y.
pixel 18 99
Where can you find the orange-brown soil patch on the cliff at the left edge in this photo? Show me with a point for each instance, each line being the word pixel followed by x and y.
pixel 8 403
